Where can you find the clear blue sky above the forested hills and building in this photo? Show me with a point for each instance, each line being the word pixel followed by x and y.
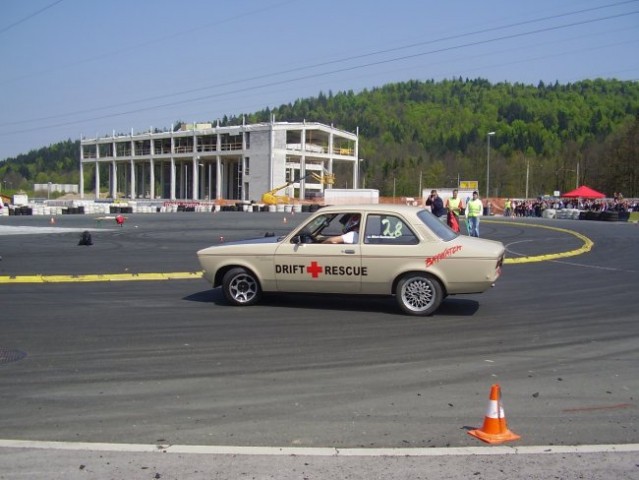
pixel 72 69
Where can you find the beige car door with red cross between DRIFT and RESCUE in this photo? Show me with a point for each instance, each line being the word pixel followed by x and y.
pixel 319 267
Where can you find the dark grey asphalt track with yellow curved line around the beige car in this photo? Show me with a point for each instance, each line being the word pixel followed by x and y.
pixel 102 372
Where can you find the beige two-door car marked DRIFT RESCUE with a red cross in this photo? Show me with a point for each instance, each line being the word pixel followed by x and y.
pixel 397 250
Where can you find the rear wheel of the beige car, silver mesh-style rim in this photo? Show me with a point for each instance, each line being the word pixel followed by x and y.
pixel 419 294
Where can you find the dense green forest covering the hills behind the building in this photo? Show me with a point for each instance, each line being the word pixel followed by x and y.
pixel 534 139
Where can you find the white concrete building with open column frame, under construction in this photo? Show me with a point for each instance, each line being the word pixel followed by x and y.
pixel 202 162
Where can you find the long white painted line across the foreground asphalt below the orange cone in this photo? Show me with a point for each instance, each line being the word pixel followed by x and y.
pixel 319 451
